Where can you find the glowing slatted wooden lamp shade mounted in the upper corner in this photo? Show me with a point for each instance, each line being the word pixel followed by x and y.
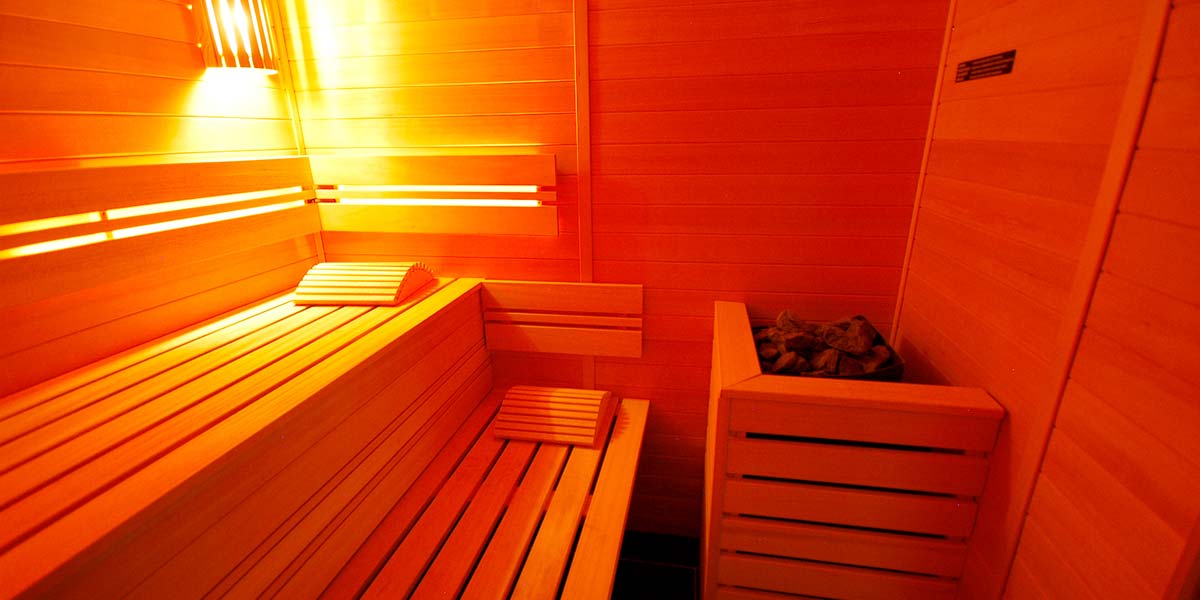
pixel 237 34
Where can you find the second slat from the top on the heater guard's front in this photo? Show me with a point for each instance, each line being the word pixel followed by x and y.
pixel 923 472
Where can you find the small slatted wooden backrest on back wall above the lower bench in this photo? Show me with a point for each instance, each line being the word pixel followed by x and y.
pixel 598 320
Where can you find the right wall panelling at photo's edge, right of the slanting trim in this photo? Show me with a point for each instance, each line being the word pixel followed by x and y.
pixel 1123 453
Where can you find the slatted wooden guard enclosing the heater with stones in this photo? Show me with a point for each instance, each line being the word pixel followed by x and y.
pixel 837 489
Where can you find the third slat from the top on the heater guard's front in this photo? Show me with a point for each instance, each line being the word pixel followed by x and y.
pixel 847 507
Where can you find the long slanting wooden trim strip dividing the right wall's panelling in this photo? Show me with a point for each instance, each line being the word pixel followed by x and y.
pixel 1091 261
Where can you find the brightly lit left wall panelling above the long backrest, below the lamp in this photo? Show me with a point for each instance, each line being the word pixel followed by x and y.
pixel 98 83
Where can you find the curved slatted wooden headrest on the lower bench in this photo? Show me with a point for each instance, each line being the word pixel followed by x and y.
pixel 560 416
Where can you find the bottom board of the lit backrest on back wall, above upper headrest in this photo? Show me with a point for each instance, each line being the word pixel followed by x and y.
pixel 429 220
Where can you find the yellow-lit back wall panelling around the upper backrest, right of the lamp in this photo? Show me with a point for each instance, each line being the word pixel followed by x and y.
pixel 459 77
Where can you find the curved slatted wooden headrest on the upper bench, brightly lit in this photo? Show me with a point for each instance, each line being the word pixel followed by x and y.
pixel 362 284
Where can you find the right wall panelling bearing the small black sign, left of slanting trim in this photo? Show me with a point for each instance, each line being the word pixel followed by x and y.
pixel 1015 169
